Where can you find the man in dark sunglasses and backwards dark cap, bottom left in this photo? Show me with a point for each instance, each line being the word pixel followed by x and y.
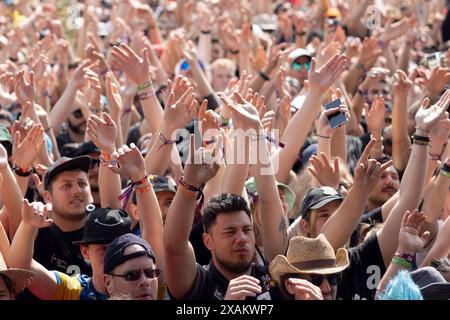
pixel 130 269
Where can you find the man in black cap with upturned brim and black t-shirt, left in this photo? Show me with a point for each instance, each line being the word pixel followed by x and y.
pixel 67 188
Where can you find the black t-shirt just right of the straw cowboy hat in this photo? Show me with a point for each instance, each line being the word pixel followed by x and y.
pixel 360 280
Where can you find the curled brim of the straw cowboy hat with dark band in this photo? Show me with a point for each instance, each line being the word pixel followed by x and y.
pixel 281 266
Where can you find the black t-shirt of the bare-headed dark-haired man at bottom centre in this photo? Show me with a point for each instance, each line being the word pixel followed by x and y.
pixel 210 284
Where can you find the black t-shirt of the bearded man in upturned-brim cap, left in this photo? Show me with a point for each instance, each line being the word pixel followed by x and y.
pixel 53 249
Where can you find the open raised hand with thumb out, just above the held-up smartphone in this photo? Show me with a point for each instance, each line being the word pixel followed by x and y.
pixel 323 78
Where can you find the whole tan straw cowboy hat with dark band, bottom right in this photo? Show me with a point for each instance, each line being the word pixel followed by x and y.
pixel 309 256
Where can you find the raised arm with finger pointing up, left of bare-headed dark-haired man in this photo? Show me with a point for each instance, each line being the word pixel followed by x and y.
pixel 180 258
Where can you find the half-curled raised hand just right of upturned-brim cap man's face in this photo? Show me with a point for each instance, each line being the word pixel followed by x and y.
pixel 130 162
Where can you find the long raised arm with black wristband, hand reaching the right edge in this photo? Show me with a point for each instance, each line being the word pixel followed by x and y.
pixel 412 185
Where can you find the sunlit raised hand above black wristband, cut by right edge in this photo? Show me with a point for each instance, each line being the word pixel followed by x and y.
pixel 426 118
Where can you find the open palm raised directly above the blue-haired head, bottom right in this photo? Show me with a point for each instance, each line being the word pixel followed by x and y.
pixel 409 240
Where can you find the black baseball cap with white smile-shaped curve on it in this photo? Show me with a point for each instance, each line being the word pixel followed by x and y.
pixel 103 225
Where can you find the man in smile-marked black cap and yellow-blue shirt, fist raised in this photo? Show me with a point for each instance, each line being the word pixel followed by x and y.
pixel 103 225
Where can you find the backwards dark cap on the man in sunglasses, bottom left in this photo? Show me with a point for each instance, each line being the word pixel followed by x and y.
pixel 115 256
